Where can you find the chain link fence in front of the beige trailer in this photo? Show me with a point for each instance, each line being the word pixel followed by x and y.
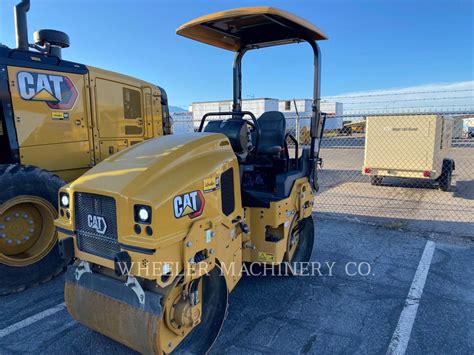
pixel 402 166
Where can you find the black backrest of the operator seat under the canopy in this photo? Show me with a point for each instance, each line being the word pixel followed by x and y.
pixel 272 133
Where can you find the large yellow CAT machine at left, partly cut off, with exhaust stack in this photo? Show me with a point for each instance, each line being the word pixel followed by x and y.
pixel 57 120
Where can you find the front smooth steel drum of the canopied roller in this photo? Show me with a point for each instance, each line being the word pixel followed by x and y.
pixel 187 317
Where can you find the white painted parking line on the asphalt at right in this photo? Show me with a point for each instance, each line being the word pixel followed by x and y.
pixel 401 336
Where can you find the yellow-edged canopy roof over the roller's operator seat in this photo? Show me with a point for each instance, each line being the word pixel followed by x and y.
pixel 252 27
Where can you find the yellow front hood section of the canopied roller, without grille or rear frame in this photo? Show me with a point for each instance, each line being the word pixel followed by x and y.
pixel 153 174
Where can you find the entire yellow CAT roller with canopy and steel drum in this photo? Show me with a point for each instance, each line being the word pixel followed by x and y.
pixel 161 230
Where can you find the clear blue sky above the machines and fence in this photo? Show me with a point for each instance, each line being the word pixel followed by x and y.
pixel 373 45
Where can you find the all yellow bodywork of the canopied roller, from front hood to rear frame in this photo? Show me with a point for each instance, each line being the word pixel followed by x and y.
pixel 154 173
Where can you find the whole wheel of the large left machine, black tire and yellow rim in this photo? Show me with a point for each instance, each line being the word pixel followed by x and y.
pixel 36 191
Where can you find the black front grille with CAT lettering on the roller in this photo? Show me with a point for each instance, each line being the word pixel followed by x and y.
pixel 96 224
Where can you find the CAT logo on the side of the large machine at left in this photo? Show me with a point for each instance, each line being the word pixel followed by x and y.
pixel 56 90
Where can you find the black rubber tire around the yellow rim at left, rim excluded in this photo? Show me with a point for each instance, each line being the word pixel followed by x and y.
pixel 17 180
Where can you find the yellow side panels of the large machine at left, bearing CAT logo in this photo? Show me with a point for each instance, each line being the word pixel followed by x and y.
pixel 107 113
